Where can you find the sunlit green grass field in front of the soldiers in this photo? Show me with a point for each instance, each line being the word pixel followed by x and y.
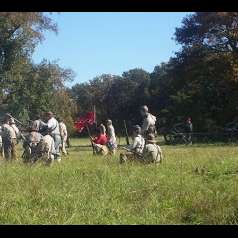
pixel 195 184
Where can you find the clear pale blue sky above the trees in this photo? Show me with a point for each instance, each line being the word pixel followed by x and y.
pixel 95 43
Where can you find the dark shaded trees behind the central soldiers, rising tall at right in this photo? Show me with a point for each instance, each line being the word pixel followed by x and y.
pixel 200 81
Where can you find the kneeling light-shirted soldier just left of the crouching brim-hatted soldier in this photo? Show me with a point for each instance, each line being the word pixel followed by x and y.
pixel 135 150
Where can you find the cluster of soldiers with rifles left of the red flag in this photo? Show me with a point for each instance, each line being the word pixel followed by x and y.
pixel 43 137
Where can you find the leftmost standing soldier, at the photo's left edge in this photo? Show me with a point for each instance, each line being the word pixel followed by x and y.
pixel 9 140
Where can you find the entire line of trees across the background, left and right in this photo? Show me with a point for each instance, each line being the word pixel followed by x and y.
pixel 199 81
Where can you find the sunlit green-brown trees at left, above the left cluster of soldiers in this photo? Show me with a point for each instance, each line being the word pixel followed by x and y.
pixel 27 89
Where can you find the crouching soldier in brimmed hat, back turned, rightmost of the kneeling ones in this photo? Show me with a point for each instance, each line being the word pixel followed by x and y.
pixel 152 152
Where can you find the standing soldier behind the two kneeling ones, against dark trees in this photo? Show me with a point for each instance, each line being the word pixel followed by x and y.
pixel 148 121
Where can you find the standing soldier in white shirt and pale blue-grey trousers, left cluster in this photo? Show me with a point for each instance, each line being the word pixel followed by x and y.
pixel 54 131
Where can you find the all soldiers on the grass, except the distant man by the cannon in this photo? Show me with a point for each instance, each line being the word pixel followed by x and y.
pixel 48 137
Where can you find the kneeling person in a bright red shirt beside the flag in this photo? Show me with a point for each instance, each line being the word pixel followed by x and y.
pixel 100 143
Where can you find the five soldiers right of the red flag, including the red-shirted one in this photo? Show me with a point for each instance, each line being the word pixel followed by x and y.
pixel 144 147
